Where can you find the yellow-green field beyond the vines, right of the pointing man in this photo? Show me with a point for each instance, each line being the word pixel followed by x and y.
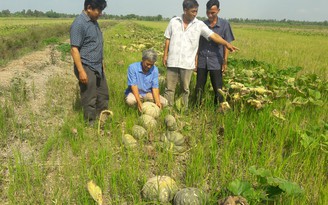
pixel 281 46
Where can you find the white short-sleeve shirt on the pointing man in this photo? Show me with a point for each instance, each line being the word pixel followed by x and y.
pixel 184 43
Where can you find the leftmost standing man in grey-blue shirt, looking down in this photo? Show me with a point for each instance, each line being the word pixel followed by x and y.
pixel 87 52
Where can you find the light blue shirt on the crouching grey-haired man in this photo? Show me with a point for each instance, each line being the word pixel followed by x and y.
pixel 144 81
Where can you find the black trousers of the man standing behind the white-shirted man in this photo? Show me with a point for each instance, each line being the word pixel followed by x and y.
pixel 216 81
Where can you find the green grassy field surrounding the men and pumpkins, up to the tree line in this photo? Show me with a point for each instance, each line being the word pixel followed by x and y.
pixel 275 153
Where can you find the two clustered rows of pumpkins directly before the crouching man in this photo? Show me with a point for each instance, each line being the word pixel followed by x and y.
pixel 172 139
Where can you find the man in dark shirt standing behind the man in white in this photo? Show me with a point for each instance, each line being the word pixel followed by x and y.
pixel 213 58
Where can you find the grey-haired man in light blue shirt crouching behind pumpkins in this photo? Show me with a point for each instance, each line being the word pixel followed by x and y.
pixel 143 81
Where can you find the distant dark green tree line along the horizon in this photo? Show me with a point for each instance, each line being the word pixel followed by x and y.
pixel 52 14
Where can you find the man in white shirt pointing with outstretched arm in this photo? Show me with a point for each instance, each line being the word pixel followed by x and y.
pixel 181 46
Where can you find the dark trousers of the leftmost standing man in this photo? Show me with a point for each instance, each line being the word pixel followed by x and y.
pixel 94 95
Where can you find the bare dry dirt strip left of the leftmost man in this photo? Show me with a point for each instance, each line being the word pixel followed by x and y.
pixel 32 73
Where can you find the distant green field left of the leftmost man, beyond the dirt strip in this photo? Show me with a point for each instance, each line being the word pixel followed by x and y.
pixel 19 36
